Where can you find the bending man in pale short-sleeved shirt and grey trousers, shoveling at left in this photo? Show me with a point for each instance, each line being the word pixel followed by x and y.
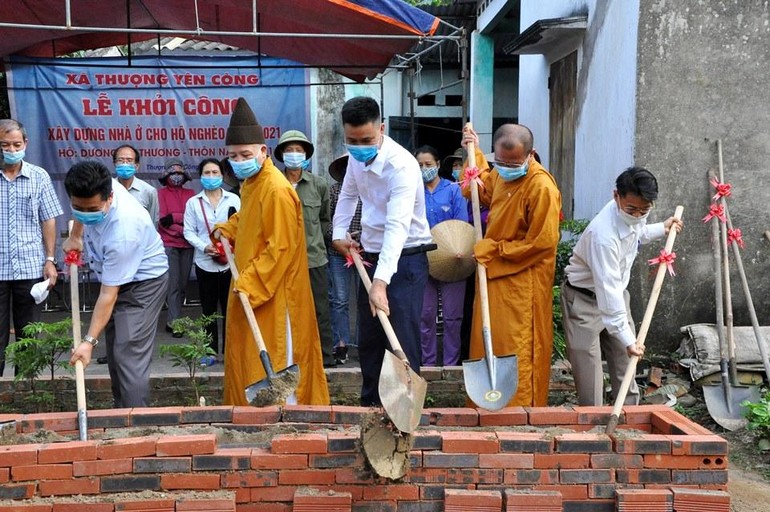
pixel 127 254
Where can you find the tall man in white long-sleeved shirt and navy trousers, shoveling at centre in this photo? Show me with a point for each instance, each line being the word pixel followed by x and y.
pixel 395 237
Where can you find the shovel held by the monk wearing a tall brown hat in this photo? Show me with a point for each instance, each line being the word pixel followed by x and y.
pixel 276 387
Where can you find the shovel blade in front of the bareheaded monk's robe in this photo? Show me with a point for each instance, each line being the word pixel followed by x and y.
pixel 486 394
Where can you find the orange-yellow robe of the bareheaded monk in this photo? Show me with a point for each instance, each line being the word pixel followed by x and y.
pixel 519 253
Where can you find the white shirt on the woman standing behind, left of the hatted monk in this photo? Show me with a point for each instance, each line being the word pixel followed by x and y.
pixel 195 231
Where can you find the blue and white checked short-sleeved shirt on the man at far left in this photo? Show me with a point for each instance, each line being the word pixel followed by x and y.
pixel 25 203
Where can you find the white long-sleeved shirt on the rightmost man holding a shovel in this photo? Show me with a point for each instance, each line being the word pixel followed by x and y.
pixel 602 260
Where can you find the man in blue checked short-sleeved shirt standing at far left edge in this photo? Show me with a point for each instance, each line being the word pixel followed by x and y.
pixel 27 233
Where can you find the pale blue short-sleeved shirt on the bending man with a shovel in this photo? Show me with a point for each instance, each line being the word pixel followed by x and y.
pixel 125 247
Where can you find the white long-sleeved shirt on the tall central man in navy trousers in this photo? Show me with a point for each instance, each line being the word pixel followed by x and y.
pixel 393 205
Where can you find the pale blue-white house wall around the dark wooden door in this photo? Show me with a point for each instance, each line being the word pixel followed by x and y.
pixel 606 93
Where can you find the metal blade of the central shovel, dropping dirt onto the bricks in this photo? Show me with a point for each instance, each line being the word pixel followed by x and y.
pixel 402 393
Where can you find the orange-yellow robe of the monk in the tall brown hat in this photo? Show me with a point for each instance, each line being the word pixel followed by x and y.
pixel 269 237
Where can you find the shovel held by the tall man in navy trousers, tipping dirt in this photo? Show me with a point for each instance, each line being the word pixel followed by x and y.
pixel 402 391
